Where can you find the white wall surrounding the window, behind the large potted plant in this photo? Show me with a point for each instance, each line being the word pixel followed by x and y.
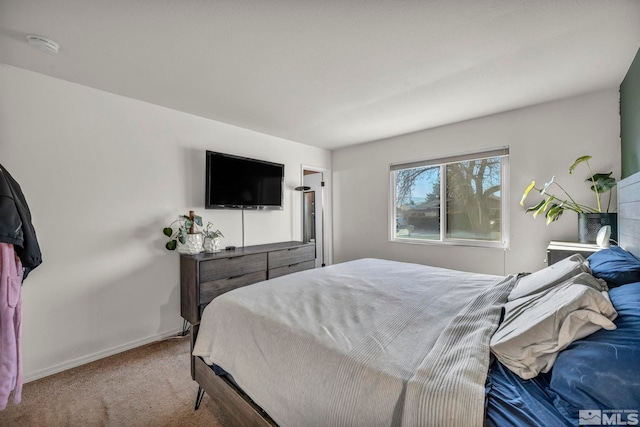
pixel 544 140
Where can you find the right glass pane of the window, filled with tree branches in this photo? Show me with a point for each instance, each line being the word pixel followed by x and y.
pixel 474 199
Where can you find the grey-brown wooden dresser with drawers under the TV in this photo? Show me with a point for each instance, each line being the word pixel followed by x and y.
pixel 205 276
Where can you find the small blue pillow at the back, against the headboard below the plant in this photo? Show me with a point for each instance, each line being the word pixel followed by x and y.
pixel 615 265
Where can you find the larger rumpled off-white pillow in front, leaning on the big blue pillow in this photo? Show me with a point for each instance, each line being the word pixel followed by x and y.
pixel 536 327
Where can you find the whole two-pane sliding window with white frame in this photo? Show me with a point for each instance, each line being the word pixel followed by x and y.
pixel 459 200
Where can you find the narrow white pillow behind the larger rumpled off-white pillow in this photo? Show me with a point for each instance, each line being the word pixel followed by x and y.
pixel 549 277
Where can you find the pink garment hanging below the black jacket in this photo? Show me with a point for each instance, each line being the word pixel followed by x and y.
pixel 10 325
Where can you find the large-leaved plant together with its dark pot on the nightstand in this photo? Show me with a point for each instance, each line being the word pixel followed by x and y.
pixel 590 218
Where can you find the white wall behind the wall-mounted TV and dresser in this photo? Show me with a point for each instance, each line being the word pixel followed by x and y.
pixel 102 175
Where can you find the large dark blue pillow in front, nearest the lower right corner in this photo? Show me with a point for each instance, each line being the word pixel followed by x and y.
pixel 602 371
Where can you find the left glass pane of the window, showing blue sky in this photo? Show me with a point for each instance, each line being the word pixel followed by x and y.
pixel 417 210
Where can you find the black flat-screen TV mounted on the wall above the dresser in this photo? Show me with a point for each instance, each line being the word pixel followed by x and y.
pixel 234 182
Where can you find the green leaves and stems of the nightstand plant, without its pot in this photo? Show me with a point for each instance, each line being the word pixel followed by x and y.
pixel 553 206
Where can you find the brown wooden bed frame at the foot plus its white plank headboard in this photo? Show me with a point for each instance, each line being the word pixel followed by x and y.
pixel 244 412
